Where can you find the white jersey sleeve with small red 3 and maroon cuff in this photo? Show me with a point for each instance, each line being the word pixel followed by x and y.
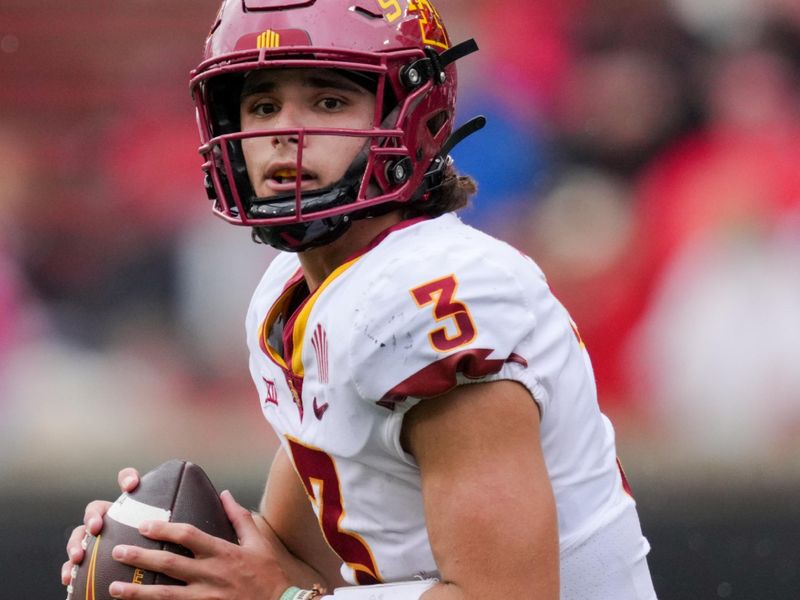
pixel 424 327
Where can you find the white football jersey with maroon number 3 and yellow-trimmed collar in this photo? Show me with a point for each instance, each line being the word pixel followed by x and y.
pixel 431 305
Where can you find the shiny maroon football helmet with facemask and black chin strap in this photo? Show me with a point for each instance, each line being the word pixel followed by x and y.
pixel 399 46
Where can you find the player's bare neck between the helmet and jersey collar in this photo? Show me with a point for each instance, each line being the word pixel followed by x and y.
pixel 320 262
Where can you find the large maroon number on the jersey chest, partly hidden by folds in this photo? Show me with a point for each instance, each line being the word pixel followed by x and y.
pixel 321 480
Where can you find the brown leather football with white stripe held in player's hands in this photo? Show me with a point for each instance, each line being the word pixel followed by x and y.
pixel 177 491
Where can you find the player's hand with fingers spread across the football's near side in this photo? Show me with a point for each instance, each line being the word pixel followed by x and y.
pixel 219 569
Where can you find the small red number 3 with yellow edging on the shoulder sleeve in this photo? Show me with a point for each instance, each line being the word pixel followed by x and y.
pixel 441 293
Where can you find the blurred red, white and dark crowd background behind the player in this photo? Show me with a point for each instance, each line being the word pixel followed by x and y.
pixel 646 153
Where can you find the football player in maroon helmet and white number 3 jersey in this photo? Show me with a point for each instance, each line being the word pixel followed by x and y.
pixel 439 426
